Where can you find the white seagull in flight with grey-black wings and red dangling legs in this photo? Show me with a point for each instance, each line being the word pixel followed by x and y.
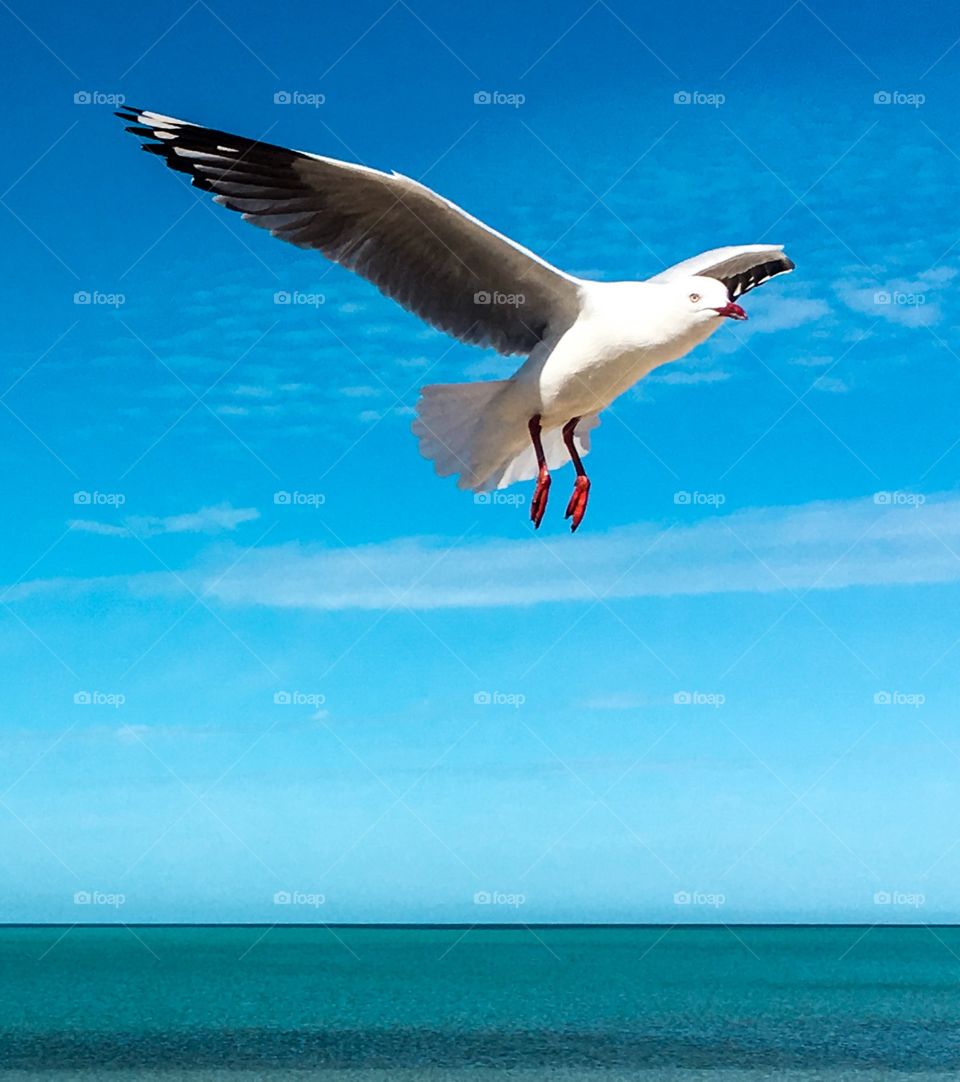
pixel 585 342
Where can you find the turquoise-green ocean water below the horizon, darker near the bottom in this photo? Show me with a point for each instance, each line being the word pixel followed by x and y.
pixel 296 1004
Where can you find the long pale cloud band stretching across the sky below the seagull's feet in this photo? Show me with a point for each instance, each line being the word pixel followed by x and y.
pixel 890 539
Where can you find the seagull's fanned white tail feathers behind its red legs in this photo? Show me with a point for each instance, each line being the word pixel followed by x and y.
pixel 476 430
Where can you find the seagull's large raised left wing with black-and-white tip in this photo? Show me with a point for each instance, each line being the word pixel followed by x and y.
pixel 418 248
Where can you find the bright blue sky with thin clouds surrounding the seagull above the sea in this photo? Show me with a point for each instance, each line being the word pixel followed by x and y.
pixel 382 701
